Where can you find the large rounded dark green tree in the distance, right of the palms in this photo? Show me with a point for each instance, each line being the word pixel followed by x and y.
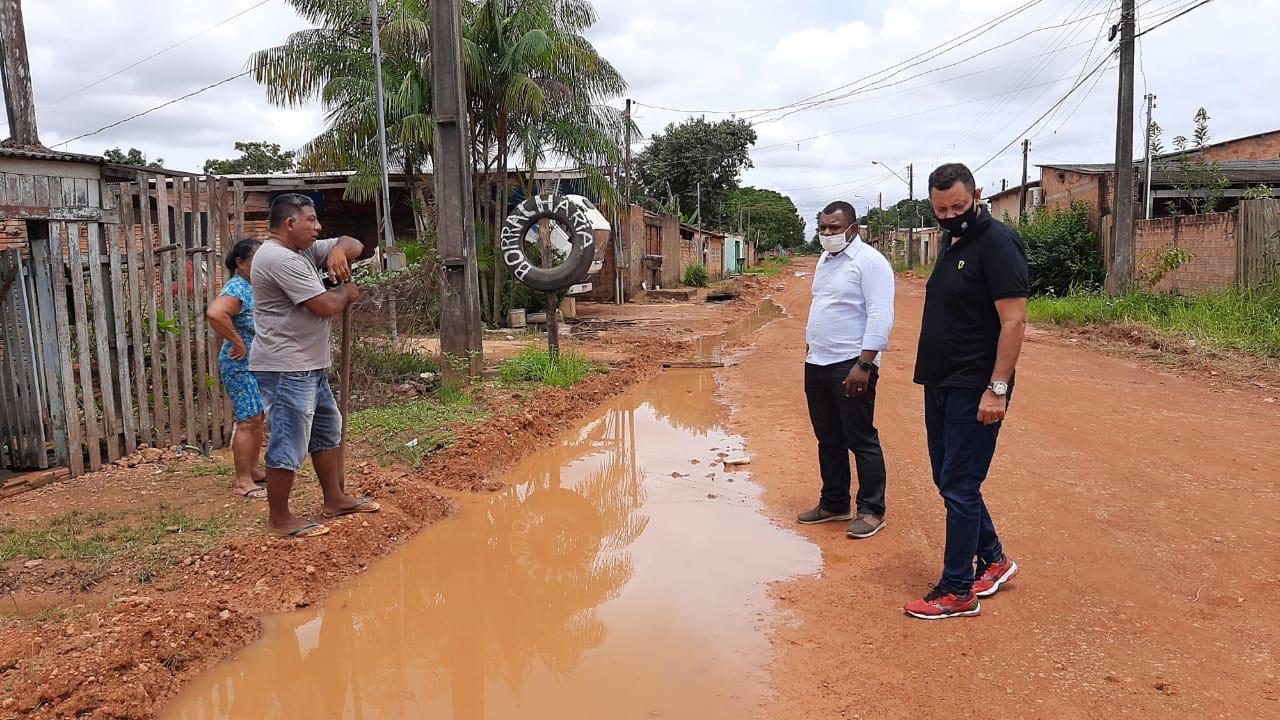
pixel 697 163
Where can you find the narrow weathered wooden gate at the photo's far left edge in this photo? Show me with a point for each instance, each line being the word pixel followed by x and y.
pixel 24 407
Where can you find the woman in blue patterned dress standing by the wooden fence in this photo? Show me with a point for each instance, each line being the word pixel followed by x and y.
pixel 231 315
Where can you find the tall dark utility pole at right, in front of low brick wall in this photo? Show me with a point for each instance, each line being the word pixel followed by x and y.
pixel 1121 274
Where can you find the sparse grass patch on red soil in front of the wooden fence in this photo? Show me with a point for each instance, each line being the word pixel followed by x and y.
pixel 100 539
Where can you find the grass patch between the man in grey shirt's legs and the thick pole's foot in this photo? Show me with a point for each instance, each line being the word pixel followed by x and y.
pixel 413 431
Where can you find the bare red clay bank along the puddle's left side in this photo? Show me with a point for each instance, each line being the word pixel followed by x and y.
pixel 118 650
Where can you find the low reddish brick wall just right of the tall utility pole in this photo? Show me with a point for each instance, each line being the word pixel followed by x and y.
pixel 1209 239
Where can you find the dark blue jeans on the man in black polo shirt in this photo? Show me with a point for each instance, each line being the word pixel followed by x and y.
pixel 961 450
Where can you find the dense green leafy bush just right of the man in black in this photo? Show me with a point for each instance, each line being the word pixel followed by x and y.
pixel 1063 254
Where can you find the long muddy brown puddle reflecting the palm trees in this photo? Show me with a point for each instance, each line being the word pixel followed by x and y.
pixel 623 576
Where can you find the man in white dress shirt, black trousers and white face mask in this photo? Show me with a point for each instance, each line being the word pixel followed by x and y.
pixel 851 320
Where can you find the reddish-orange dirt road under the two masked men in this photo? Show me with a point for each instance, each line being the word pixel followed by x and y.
pixel 1142 507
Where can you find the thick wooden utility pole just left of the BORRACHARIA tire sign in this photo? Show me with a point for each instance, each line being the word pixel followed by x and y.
pixel 460 297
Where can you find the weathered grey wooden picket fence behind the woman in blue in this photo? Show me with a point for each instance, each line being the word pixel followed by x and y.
pixel 109 343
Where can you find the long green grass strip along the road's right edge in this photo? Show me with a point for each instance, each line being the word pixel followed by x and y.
pixel 1245 321
